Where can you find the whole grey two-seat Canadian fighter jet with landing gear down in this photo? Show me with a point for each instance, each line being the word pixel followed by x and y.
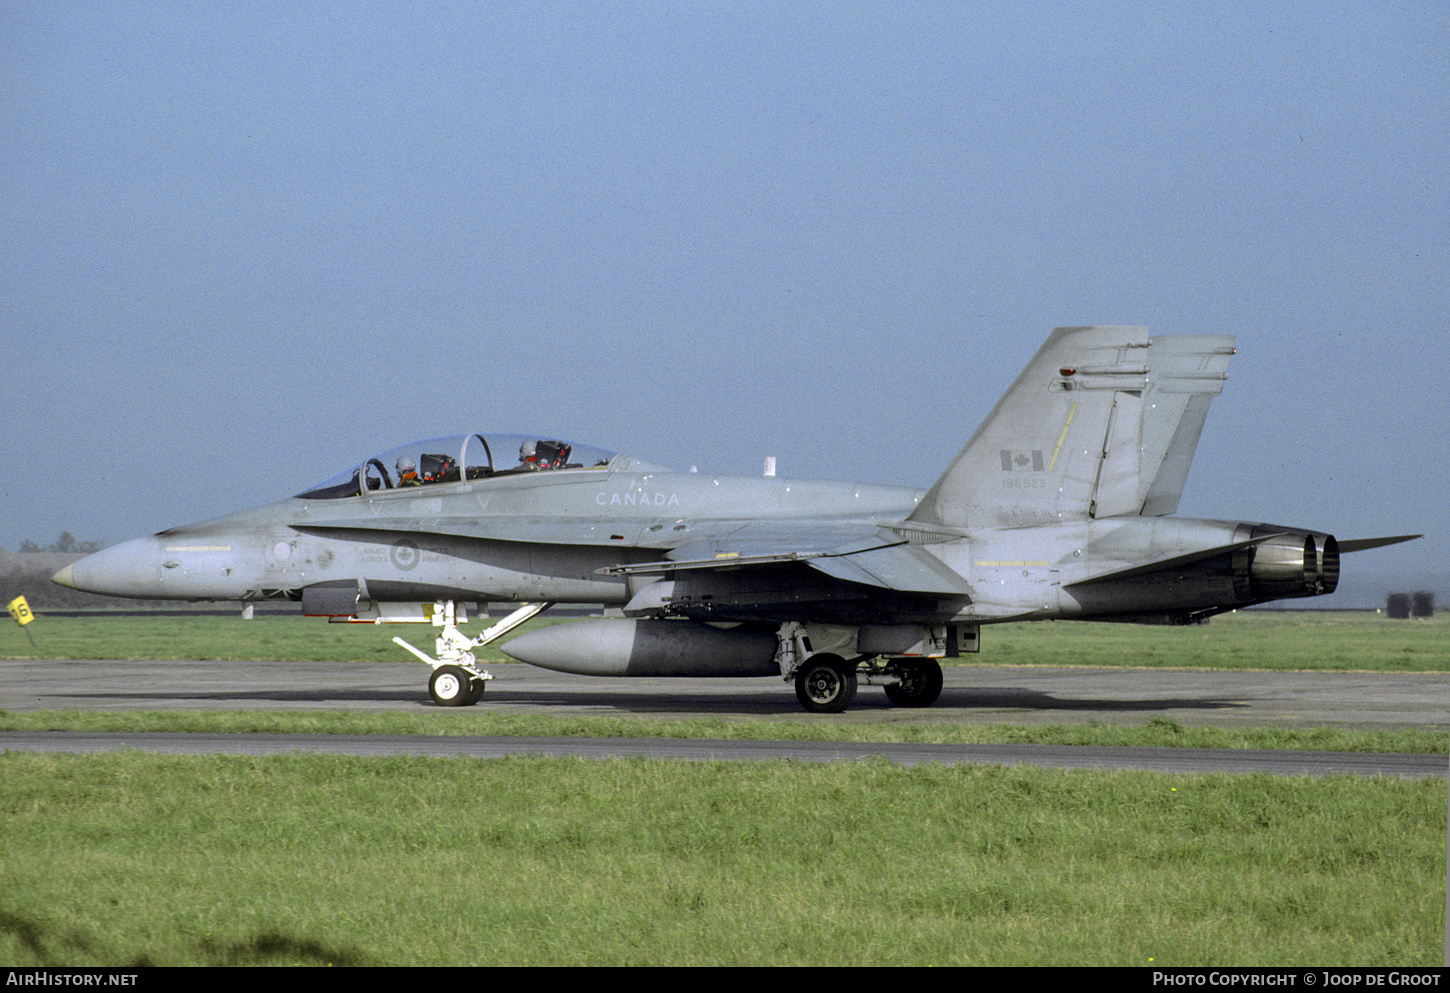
pixel 1058 508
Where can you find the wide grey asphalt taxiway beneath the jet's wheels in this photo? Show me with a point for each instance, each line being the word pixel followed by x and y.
pixel 972 695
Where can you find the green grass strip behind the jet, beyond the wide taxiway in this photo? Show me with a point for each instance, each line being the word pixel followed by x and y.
pixel 1245 640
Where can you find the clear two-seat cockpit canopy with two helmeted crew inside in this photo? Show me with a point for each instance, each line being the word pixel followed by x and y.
pixel 456 460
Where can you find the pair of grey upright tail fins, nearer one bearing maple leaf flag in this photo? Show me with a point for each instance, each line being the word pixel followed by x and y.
pixel 1103 423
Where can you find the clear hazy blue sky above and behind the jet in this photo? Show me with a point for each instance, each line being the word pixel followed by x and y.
pixel 246 246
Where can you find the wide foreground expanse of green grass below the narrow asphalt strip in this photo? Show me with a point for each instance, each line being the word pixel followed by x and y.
pixel 328 860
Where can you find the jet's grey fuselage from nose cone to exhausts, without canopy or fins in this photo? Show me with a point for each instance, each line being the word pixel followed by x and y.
pixel 552 536
